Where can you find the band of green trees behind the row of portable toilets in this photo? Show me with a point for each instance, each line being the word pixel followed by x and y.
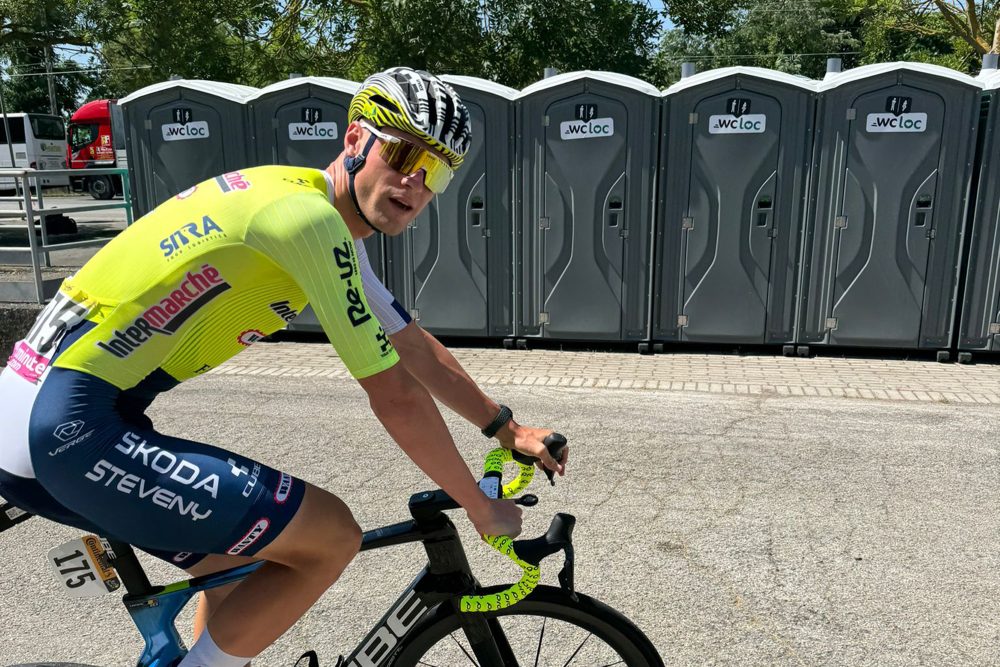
pixel 258 42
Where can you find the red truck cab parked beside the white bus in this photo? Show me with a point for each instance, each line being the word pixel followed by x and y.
pixel 96 134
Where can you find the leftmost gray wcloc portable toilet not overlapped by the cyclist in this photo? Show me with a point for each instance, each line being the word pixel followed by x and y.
pixel 588 165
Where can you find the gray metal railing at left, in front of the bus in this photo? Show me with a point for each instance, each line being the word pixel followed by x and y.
pixel 33 212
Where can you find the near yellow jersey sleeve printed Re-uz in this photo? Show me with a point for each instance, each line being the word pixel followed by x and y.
pixel 306 237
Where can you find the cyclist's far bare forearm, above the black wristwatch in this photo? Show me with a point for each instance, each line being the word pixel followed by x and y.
pixel 439 371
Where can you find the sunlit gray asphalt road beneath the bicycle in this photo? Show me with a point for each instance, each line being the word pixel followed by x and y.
pixel 734 529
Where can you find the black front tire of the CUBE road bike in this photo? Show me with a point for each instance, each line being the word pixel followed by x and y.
pixel 589 615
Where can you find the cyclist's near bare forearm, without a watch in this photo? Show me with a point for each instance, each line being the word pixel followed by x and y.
pixel 414 422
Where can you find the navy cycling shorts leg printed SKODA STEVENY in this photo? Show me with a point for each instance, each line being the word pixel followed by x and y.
pixel 160 493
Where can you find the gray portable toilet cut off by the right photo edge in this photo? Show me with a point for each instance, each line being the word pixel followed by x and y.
pixel 980 324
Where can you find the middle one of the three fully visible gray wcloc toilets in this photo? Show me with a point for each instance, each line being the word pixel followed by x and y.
pixel 734 166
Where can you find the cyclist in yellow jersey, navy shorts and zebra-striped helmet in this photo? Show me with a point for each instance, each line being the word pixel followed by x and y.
pixel 192 283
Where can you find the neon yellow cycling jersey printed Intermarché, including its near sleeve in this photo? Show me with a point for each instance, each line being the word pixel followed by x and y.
pixel 213 270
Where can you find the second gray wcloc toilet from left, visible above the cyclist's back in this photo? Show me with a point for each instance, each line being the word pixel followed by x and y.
pixel 300 121
